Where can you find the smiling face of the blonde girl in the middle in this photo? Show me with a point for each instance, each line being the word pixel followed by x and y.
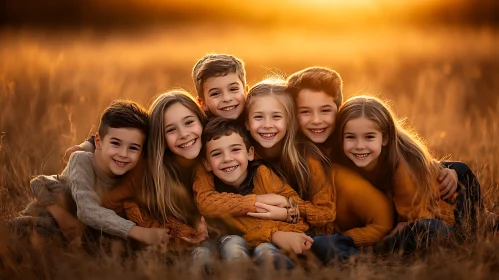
pixel 267 121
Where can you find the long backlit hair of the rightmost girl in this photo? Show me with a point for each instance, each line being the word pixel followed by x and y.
pixel 402 145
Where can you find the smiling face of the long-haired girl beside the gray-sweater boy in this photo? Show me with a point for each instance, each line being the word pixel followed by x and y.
pixel 182 131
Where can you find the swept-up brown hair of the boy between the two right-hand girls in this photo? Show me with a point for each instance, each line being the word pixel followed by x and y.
pixel 317 79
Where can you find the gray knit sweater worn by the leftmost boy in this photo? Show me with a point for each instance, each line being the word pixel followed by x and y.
pixel 87 184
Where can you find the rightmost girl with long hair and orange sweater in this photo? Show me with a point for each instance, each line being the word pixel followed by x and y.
pixel 397 163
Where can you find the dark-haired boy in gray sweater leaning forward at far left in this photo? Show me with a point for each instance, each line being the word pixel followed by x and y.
pixel 73 198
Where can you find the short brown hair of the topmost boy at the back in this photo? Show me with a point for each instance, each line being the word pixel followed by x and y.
pixel 215 65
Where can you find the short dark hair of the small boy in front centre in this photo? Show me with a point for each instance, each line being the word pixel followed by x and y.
pixel 218 127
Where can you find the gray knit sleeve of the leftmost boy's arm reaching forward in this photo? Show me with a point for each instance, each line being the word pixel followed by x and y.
pixel 89 211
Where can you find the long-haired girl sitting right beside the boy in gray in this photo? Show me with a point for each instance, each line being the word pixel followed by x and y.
pixel 157 193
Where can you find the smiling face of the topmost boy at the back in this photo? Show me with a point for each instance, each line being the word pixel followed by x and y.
pixel 224 96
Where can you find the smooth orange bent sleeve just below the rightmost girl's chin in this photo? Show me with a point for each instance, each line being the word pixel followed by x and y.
pixel 365 203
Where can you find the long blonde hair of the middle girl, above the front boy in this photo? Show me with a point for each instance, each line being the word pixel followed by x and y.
pixel 293 164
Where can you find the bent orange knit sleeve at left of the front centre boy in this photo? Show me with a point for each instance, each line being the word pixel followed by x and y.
pixel 212 203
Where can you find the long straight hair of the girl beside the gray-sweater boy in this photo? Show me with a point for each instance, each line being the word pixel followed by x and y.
pixel 164 190
